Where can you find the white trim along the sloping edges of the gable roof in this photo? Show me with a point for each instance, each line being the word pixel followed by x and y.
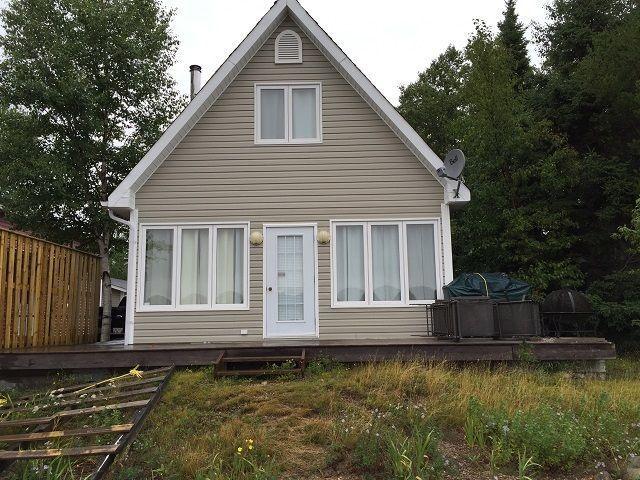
pixel 124 195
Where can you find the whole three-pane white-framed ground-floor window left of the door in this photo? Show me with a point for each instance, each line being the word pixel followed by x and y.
pixel 194 267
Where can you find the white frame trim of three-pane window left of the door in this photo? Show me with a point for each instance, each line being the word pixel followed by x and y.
pixel 175 305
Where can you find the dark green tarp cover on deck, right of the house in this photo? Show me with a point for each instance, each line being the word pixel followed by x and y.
pixel 498 286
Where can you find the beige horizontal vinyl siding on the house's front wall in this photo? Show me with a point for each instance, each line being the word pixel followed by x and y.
pixel 361 170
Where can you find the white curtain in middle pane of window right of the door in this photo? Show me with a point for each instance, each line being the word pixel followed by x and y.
pixel 385 263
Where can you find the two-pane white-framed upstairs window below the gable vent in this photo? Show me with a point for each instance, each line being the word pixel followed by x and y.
pixel 288 113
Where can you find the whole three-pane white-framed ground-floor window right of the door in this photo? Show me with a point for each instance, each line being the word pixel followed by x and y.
pixel 381 263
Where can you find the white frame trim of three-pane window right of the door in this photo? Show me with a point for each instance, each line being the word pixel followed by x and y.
pixel 404 271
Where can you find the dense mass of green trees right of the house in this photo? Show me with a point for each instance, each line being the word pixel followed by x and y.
pixel 553 153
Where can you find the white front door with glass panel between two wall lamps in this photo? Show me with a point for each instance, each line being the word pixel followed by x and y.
pixel 290 282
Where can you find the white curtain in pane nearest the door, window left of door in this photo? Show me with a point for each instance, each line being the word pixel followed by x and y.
pixel 230 266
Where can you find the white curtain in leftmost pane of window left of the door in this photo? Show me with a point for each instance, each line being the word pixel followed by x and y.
pixel 158 267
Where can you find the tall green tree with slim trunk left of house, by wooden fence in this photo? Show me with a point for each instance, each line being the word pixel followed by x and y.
pixel 86 91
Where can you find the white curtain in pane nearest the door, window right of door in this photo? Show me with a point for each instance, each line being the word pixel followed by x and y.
pixel 350 263
